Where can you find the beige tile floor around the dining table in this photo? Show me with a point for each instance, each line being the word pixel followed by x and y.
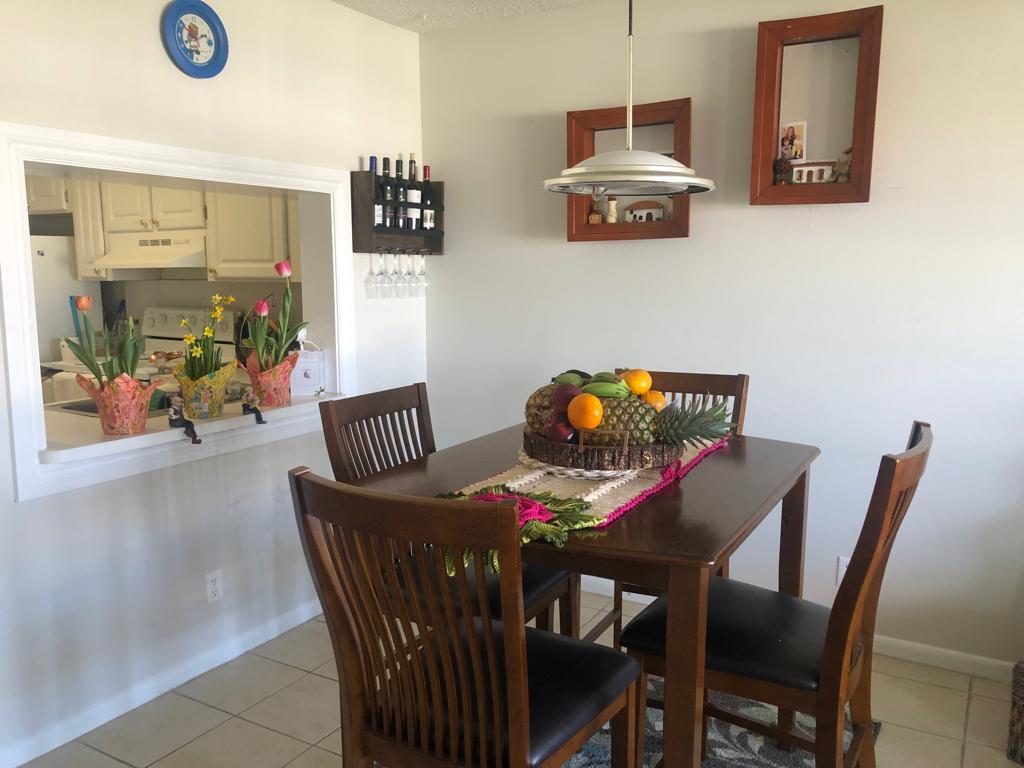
pixel 278 706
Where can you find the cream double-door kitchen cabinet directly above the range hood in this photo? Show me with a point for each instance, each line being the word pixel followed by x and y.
pixel 137 208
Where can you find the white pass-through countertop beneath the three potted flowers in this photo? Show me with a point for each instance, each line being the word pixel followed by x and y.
pixel 72 438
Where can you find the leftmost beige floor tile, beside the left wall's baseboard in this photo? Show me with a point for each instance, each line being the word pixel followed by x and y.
pixel 155 730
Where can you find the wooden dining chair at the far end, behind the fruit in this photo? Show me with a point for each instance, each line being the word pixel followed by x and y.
pixel 681 389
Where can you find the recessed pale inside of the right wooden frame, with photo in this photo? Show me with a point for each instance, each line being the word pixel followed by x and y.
pixel 816 133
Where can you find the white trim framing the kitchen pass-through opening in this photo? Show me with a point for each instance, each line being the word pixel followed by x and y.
pixel 25 144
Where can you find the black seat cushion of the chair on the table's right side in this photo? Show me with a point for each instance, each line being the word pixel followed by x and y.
pixel 752 632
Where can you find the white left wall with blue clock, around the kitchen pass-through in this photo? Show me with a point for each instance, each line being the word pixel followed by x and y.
pixel 103 591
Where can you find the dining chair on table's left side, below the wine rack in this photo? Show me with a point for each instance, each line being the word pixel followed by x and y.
pixel 374 433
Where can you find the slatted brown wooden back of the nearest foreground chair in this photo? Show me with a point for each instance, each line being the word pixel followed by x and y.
pixel 428 678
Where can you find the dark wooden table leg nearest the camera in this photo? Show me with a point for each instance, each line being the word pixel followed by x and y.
pixel 685 666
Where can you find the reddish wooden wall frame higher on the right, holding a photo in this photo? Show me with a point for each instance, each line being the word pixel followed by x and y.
pixel 818 81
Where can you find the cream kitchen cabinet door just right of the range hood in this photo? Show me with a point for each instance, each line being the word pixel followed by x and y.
pixel 248 234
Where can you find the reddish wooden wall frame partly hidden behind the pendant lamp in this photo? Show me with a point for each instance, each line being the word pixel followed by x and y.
pixel 663 127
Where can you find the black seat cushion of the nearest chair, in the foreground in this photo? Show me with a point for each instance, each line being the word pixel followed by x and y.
pixel 571 682
